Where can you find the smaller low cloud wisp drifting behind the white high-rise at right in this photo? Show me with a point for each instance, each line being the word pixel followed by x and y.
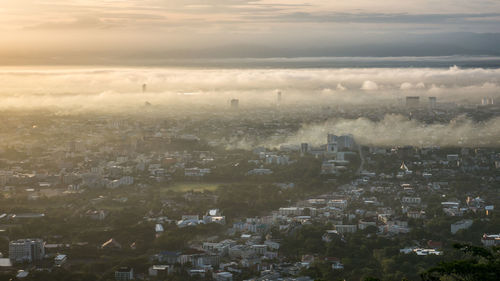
pixel 392 130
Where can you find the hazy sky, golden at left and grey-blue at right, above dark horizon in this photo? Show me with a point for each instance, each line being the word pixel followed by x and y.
pixel 144 31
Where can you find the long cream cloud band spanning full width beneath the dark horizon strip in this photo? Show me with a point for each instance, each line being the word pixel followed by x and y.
pixel 95 89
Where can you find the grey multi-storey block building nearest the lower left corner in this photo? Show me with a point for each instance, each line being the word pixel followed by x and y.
pixel 26 250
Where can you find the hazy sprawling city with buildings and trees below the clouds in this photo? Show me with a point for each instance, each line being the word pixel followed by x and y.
pixel 234 193
